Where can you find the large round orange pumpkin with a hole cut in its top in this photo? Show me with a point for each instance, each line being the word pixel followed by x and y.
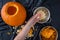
pixel 13 14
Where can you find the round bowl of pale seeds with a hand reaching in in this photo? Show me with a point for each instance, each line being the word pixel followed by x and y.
pixel 45 14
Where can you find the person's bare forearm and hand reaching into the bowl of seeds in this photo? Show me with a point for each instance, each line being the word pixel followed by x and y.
pixel 26 29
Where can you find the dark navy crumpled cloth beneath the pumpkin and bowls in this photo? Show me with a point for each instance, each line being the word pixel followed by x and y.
pixel 30 5
